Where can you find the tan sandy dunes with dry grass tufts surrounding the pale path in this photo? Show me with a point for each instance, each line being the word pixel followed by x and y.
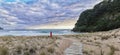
pixel 97 43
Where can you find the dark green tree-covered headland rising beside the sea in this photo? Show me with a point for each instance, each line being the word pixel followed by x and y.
pixel 104 16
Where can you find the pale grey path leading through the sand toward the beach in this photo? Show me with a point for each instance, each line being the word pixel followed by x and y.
pixel 74 49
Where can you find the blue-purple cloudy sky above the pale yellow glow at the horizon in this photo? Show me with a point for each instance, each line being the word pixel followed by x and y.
pixel 20 14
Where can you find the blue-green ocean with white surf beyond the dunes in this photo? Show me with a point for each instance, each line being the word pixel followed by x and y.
pixel 36 32
